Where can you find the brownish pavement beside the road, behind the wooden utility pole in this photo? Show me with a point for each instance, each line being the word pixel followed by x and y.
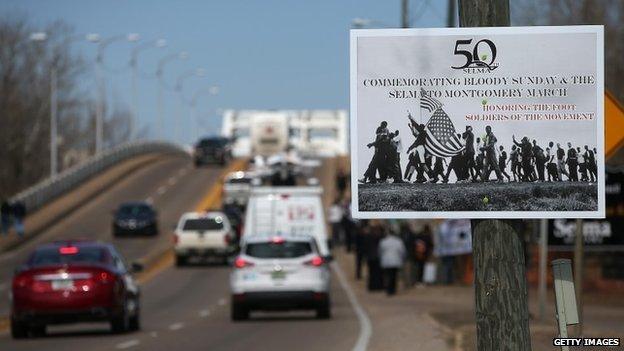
pixel 442 317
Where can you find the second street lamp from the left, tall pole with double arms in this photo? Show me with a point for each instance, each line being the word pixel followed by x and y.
pixel 99 72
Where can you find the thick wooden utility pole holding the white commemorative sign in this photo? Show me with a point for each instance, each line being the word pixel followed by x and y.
pixel 501 306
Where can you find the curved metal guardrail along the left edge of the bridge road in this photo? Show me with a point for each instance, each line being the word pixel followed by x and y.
pixel 49 189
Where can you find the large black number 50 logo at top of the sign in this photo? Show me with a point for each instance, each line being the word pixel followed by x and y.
pixel 478 60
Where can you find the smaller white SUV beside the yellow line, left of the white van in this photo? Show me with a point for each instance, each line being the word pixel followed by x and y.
pixel 204 234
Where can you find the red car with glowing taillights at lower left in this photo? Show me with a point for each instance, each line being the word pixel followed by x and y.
pixel 74 281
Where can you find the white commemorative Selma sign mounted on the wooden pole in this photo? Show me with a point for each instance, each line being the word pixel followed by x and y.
pixel 478 122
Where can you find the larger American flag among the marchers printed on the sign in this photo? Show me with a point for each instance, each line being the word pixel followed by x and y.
pixel 442 140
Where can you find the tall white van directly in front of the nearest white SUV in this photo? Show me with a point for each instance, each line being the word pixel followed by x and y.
pixel 289 210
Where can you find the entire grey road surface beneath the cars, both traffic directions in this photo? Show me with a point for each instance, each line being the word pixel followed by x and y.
pixel 182 308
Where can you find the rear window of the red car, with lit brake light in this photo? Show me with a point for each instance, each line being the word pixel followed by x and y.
pixel 54 255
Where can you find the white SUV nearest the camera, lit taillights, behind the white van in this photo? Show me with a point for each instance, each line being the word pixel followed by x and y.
pixel 279 273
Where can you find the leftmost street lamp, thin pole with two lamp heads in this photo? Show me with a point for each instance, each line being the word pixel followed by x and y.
pixel 40 37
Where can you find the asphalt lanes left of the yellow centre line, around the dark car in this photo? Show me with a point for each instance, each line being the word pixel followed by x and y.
pixel 171 183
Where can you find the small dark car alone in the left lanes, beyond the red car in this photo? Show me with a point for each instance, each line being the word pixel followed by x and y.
pixel 132 218
